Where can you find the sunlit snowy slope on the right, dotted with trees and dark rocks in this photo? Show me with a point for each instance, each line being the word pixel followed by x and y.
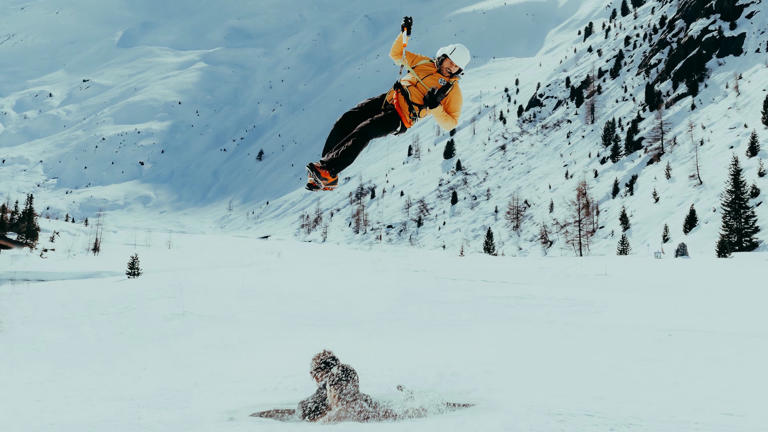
pixel 531 157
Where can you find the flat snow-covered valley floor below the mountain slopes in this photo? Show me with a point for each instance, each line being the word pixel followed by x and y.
pixel 220 326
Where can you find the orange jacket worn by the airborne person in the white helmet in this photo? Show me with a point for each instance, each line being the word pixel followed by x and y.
pixel 447 114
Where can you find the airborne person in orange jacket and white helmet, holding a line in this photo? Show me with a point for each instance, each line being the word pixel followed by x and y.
pixel 429 89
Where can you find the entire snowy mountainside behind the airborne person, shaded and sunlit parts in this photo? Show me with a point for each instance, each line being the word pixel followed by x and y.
pixel 182 98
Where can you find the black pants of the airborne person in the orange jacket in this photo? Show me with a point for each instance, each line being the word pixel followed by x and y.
pixel 372 118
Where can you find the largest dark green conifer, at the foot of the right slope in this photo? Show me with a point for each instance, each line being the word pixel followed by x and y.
pixel 739 221
